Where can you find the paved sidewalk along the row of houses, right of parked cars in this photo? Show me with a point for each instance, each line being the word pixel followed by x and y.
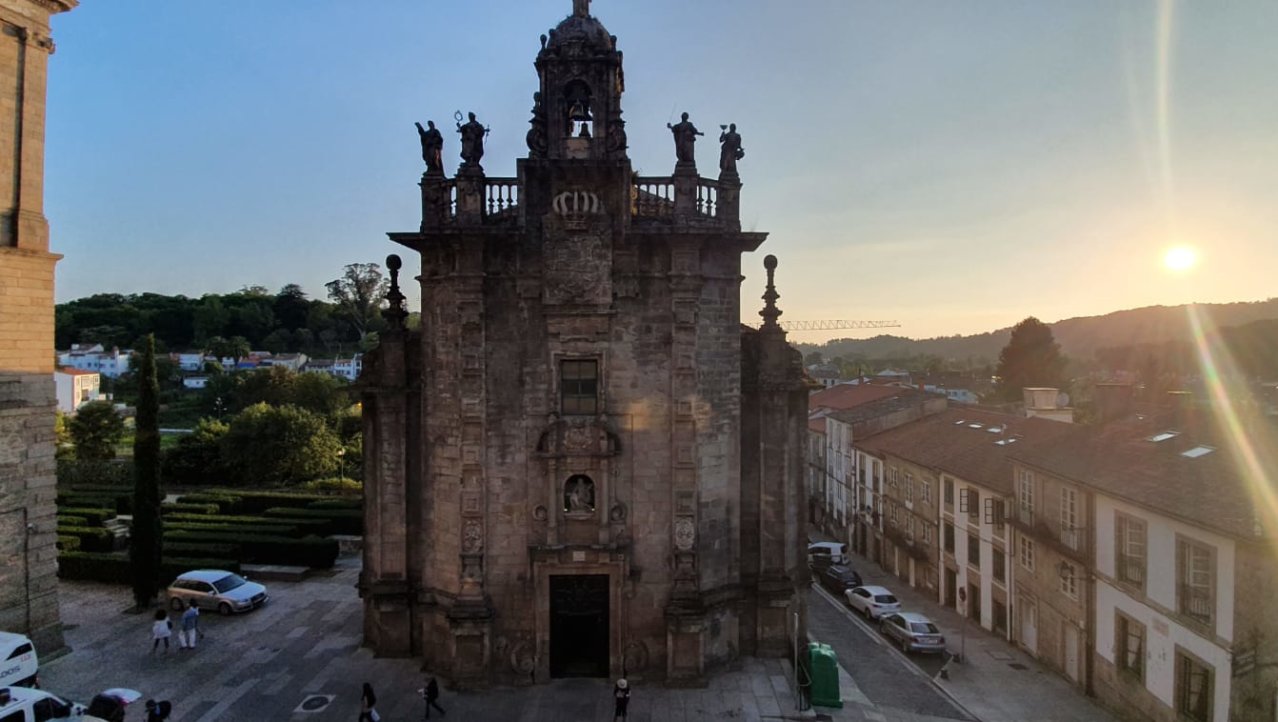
pixel 996 682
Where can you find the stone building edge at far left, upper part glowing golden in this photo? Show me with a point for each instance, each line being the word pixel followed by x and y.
pixel 29 582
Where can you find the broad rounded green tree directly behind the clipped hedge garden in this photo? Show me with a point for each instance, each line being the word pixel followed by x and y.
pixel 274 445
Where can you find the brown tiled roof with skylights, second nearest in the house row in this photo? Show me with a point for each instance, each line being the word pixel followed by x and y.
pixel 960 443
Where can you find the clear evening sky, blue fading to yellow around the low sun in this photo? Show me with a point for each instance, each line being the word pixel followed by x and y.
pixel 953 167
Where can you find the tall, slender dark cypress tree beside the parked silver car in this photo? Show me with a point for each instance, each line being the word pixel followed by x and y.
pixel 145 541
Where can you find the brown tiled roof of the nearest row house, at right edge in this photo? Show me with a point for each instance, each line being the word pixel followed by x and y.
pixel 1121 459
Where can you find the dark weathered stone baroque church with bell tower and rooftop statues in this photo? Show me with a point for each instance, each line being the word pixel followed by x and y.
pixel 583 463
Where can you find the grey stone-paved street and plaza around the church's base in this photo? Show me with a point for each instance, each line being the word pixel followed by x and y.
pixel 305 649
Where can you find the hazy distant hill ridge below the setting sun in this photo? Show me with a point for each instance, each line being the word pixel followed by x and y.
pixel 1079 338
